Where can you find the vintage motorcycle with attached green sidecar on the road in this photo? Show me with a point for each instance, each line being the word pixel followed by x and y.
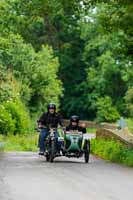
pixel 70 144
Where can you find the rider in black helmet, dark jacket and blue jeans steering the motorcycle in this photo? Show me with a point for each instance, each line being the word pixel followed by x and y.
pixel 49 119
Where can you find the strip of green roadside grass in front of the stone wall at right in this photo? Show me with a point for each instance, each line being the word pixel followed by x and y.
pixel 113 151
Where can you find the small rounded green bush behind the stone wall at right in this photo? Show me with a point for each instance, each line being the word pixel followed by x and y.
pixel 106 111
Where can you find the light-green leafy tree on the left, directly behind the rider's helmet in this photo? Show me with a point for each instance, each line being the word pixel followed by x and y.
pixel 36 72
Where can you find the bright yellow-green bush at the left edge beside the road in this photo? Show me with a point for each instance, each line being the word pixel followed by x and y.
pixel 14 119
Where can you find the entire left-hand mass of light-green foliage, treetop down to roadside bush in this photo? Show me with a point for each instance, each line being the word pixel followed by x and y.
pixel 28 79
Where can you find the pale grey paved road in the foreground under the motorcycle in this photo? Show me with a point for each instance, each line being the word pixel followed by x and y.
pixel 25 176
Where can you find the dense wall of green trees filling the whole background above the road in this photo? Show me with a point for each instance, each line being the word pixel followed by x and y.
pixel 74 53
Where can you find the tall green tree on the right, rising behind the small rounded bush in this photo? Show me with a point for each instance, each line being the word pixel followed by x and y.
pixel 106 56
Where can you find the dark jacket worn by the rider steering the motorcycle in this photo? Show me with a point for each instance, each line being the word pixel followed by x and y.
pixel 51 120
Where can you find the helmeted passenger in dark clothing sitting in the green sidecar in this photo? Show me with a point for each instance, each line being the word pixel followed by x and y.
pixel 74 125
